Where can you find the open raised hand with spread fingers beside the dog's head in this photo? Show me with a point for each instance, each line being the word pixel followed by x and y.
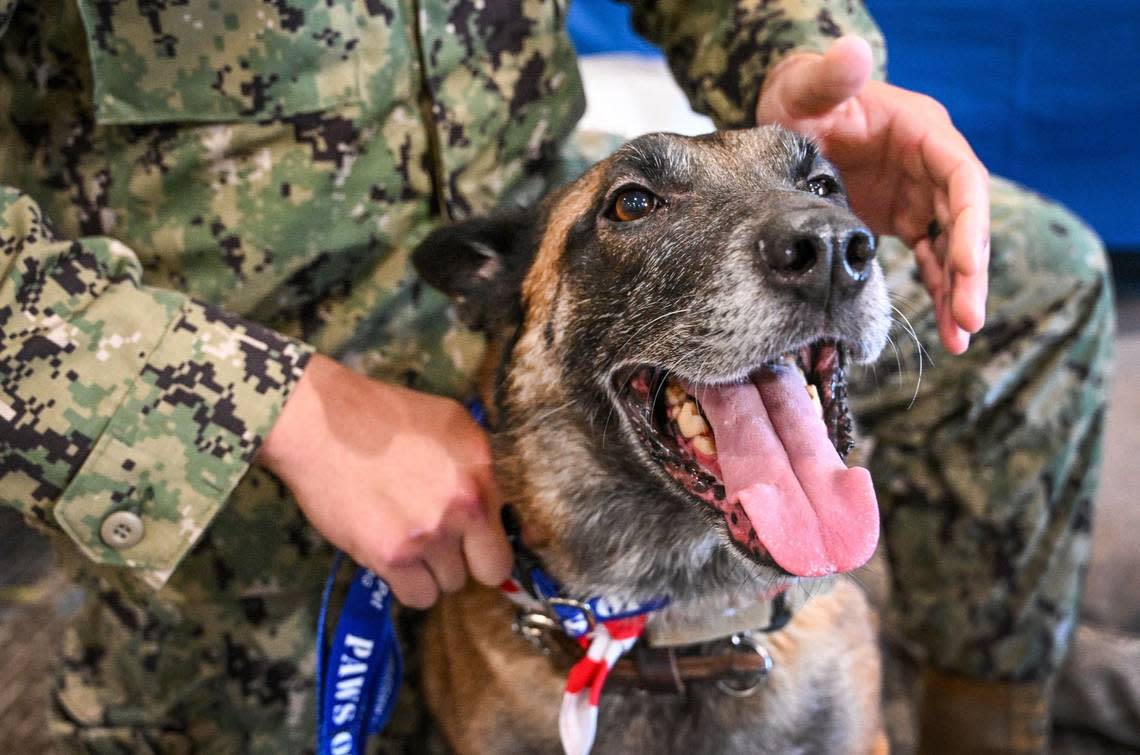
pixel 905 165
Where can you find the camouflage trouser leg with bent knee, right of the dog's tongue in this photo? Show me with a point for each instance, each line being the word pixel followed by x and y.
pixel 987 475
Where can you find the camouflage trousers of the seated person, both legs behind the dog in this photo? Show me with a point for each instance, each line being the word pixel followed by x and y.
pixel 987 472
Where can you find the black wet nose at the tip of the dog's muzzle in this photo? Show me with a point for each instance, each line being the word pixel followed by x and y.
pixel 816 250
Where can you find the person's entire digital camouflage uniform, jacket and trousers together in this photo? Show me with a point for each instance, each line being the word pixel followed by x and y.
pixel 246 182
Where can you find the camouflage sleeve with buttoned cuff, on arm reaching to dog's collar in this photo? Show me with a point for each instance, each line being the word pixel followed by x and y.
pixel 127 413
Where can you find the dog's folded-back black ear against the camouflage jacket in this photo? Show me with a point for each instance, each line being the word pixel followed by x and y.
pixel 481 264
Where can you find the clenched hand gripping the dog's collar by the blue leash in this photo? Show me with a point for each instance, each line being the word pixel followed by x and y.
pixel 400 481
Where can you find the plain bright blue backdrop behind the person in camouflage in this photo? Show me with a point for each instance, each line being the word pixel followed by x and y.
pixel 1048 92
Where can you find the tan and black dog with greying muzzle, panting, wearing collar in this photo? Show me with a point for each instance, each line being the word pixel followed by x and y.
pixel 665 336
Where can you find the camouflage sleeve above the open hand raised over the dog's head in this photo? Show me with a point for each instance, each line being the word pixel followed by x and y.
pixel 721 51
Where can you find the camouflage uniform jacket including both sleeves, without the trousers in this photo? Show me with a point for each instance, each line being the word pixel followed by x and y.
pixel 206 192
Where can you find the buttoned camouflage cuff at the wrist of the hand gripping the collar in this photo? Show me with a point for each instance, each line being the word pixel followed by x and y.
pixel 180 442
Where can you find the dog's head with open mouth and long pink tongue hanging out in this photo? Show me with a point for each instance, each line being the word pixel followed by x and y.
pixel 653 327
